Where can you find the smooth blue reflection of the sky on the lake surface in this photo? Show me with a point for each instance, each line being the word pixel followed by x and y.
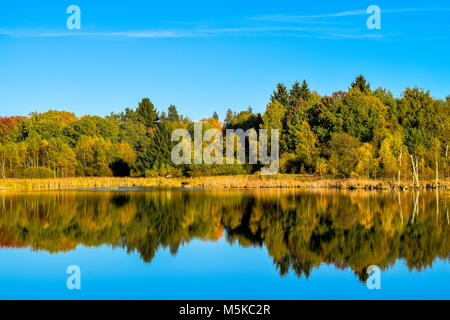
pixel 200 270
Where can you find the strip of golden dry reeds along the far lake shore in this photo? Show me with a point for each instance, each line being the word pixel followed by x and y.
pixel 241 181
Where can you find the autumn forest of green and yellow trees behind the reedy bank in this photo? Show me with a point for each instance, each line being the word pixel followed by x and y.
pixel 358 133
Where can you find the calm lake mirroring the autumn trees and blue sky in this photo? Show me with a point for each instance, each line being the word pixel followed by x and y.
pixel 224 244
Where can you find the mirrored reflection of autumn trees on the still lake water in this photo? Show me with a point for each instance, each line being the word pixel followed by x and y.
pixel 301 230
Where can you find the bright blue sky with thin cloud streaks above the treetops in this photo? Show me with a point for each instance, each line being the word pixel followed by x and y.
pixel 206 56
